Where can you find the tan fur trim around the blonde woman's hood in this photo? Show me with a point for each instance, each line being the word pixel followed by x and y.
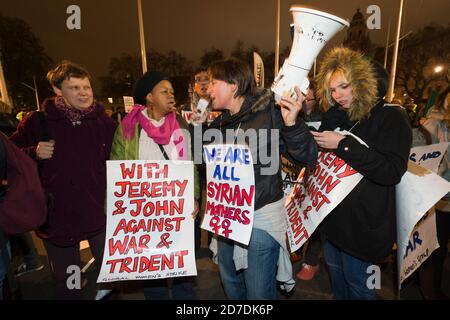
pixel 358 71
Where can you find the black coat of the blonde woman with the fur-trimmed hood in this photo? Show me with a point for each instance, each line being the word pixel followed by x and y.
pixel 364 223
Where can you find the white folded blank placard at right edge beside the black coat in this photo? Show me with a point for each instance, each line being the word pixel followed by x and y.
pixel 417 192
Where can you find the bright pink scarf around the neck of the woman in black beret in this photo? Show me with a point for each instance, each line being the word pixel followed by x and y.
pixel 162 135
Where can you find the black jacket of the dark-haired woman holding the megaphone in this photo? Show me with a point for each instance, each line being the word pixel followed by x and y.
pixel 295 142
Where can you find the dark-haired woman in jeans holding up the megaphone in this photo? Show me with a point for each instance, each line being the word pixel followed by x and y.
pixel 250 272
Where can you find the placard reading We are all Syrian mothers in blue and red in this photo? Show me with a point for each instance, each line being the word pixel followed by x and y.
pixel 230 191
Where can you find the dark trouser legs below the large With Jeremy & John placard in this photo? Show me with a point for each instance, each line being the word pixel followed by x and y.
pixel 182 289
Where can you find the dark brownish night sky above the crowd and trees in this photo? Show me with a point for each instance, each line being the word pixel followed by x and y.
pixel 109 28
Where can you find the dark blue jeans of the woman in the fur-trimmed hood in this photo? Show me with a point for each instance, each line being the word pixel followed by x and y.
pixel 348 275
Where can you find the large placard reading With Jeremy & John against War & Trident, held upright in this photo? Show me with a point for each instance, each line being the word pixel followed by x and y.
pixel 150 229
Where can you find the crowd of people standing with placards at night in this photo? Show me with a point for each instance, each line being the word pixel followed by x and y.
pixel 69 142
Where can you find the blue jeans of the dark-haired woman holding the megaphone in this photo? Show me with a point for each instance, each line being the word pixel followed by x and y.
pixel 258 281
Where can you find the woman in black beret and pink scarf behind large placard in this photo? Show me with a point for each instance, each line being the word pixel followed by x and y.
pixel 151 131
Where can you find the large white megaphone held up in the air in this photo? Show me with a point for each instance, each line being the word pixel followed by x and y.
pixel 312 30
